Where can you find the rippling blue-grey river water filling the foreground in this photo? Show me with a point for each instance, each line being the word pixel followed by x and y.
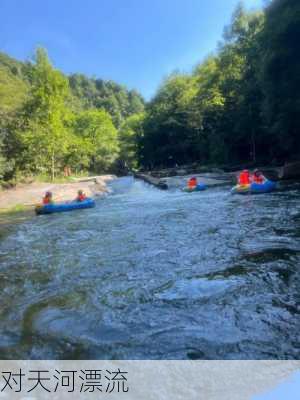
pixel 151 274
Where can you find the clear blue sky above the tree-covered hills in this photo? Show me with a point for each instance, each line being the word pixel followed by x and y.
pixel 134 42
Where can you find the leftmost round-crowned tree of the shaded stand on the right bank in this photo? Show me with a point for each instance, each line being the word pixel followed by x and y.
pixel 168 137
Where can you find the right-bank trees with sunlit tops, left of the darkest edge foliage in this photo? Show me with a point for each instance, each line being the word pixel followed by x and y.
pixel 214 115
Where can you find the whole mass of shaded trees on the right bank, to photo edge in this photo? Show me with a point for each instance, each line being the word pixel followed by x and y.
pixel 240 105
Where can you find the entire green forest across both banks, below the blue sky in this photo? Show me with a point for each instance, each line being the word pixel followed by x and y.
pixel 240 105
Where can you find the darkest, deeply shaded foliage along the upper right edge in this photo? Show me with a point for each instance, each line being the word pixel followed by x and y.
pixel 281 77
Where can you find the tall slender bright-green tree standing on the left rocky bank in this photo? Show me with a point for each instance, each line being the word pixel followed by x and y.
pixel 44 134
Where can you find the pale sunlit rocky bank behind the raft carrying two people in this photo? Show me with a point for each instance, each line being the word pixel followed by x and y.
pixel 25 196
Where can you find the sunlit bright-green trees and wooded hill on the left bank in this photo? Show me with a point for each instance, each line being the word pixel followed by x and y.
pixel 49 122
